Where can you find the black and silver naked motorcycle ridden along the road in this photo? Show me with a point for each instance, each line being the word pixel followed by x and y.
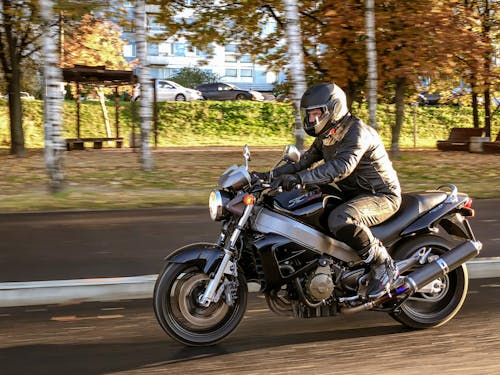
pixel 281 241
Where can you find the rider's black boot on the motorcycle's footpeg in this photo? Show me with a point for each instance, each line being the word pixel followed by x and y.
pixel 383 271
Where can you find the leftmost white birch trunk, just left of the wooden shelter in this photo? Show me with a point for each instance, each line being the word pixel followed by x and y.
pixel 53 99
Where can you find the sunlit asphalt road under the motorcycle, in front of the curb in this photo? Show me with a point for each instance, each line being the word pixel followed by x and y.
pixel 124 338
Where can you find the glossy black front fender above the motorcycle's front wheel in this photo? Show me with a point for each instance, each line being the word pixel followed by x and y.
pixel 205 255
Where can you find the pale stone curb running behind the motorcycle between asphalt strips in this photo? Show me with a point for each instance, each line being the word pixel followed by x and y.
pixel 32 293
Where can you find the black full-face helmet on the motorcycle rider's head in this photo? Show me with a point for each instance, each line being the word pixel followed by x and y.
pixel 331 100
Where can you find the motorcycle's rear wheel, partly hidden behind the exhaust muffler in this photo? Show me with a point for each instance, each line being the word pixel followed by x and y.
pixel 427 310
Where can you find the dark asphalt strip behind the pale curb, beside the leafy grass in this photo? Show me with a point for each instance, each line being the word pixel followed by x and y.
pixel 91 244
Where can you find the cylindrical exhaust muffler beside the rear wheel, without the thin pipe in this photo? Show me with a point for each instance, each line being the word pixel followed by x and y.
pixel 441 266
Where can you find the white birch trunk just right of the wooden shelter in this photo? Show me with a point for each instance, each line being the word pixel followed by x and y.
pixel 145 110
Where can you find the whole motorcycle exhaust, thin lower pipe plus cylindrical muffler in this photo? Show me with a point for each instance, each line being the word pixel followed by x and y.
pixel 424 275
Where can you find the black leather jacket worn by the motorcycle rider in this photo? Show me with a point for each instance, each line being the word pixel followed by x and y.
pixel 354 159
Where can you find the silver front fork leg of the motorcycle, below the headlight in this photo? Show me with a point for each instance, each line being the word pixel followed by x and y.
pixel 226 266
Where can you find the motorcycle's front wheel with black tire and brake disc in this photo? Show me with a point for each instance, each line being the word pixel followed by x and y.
pixel 176 294
